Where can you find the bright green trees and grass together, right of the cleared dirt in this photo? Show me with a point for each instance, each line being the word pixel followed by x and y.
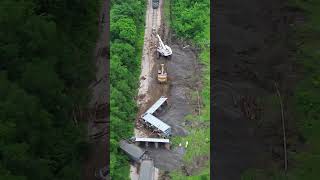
pixel 191 21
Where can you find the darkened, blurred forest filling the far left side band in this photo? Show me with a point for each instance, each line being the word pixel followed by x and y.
pixel 46 66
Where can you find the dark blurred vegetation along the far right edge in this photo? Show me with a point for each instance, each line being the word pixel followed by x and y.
pixel 304 164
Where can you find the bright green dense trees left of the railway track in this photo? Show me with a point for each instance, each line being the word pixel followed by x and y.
pixel 126 31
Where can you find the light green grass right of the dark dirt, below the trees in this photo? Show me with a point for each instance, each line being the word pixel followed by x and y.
pixel 199 138
